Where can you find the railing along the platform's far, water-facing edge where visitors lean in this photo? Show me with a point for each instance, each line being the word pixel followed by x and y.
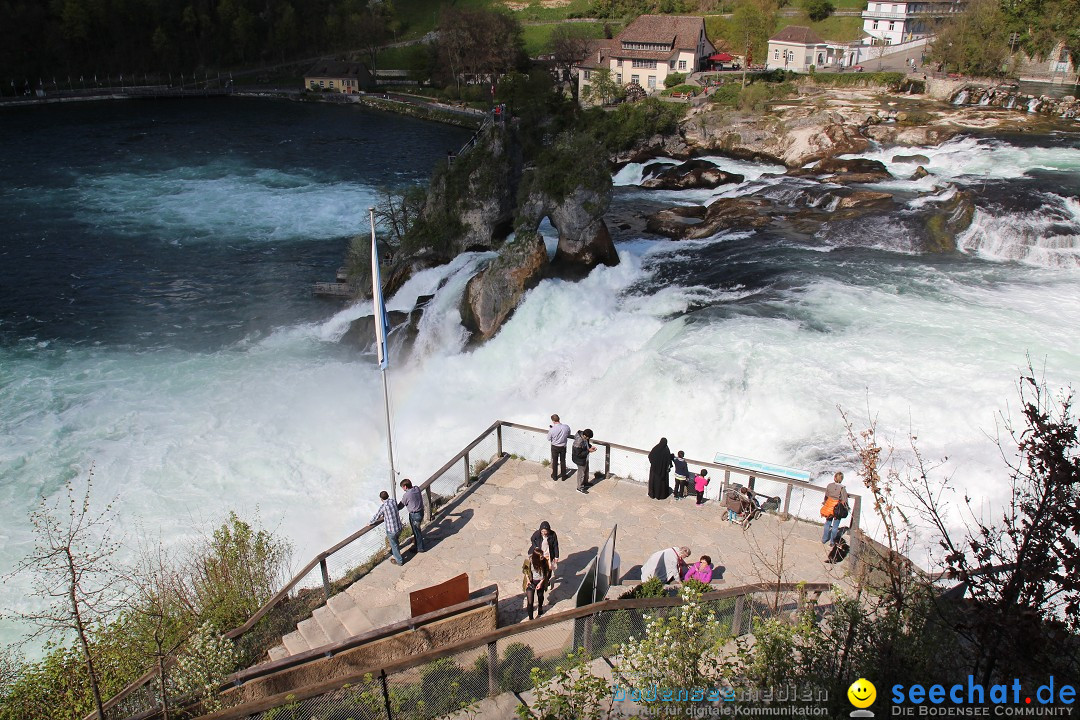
pixel 364 548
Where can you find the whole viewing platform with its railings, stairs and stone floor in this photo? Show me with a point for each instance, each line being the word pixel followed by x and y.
pixel 451 627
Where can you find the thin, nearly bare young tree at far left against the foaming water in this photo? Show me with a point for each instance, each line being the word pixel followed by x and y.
pixel 71 568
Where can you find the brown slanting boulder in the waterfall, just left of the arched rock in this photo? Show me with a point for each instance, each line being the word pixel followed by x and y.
pixel 494 293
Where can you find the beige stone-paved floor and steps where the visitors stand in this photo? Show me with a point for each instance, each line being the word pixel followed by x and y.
pixel 488 534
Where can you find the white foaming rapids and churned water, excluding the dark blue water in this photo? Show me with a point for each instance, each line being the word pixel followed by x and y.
pixel 292 424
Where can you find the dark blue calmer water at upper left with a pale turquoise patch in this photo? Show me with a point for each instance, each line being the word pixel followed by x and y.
pixel 188 223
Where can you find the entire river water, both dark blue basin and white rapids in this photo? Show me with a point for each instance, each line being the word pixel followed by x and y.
pixel 156 320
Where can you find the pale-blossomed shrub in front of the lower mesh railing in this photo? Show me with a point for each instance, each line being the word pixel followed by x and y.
pixel 679 651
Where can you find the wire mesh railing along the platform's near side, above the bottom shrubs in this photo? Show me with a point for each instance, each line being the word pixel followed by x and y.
pixel 455 677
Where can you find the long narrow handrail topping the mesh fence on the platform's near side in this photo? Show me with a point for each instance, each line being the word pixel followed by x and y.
pixel 636 604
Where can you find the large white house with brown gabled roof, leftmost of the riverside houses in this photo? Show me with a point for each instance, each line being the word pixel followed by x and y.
pixel 649 50
